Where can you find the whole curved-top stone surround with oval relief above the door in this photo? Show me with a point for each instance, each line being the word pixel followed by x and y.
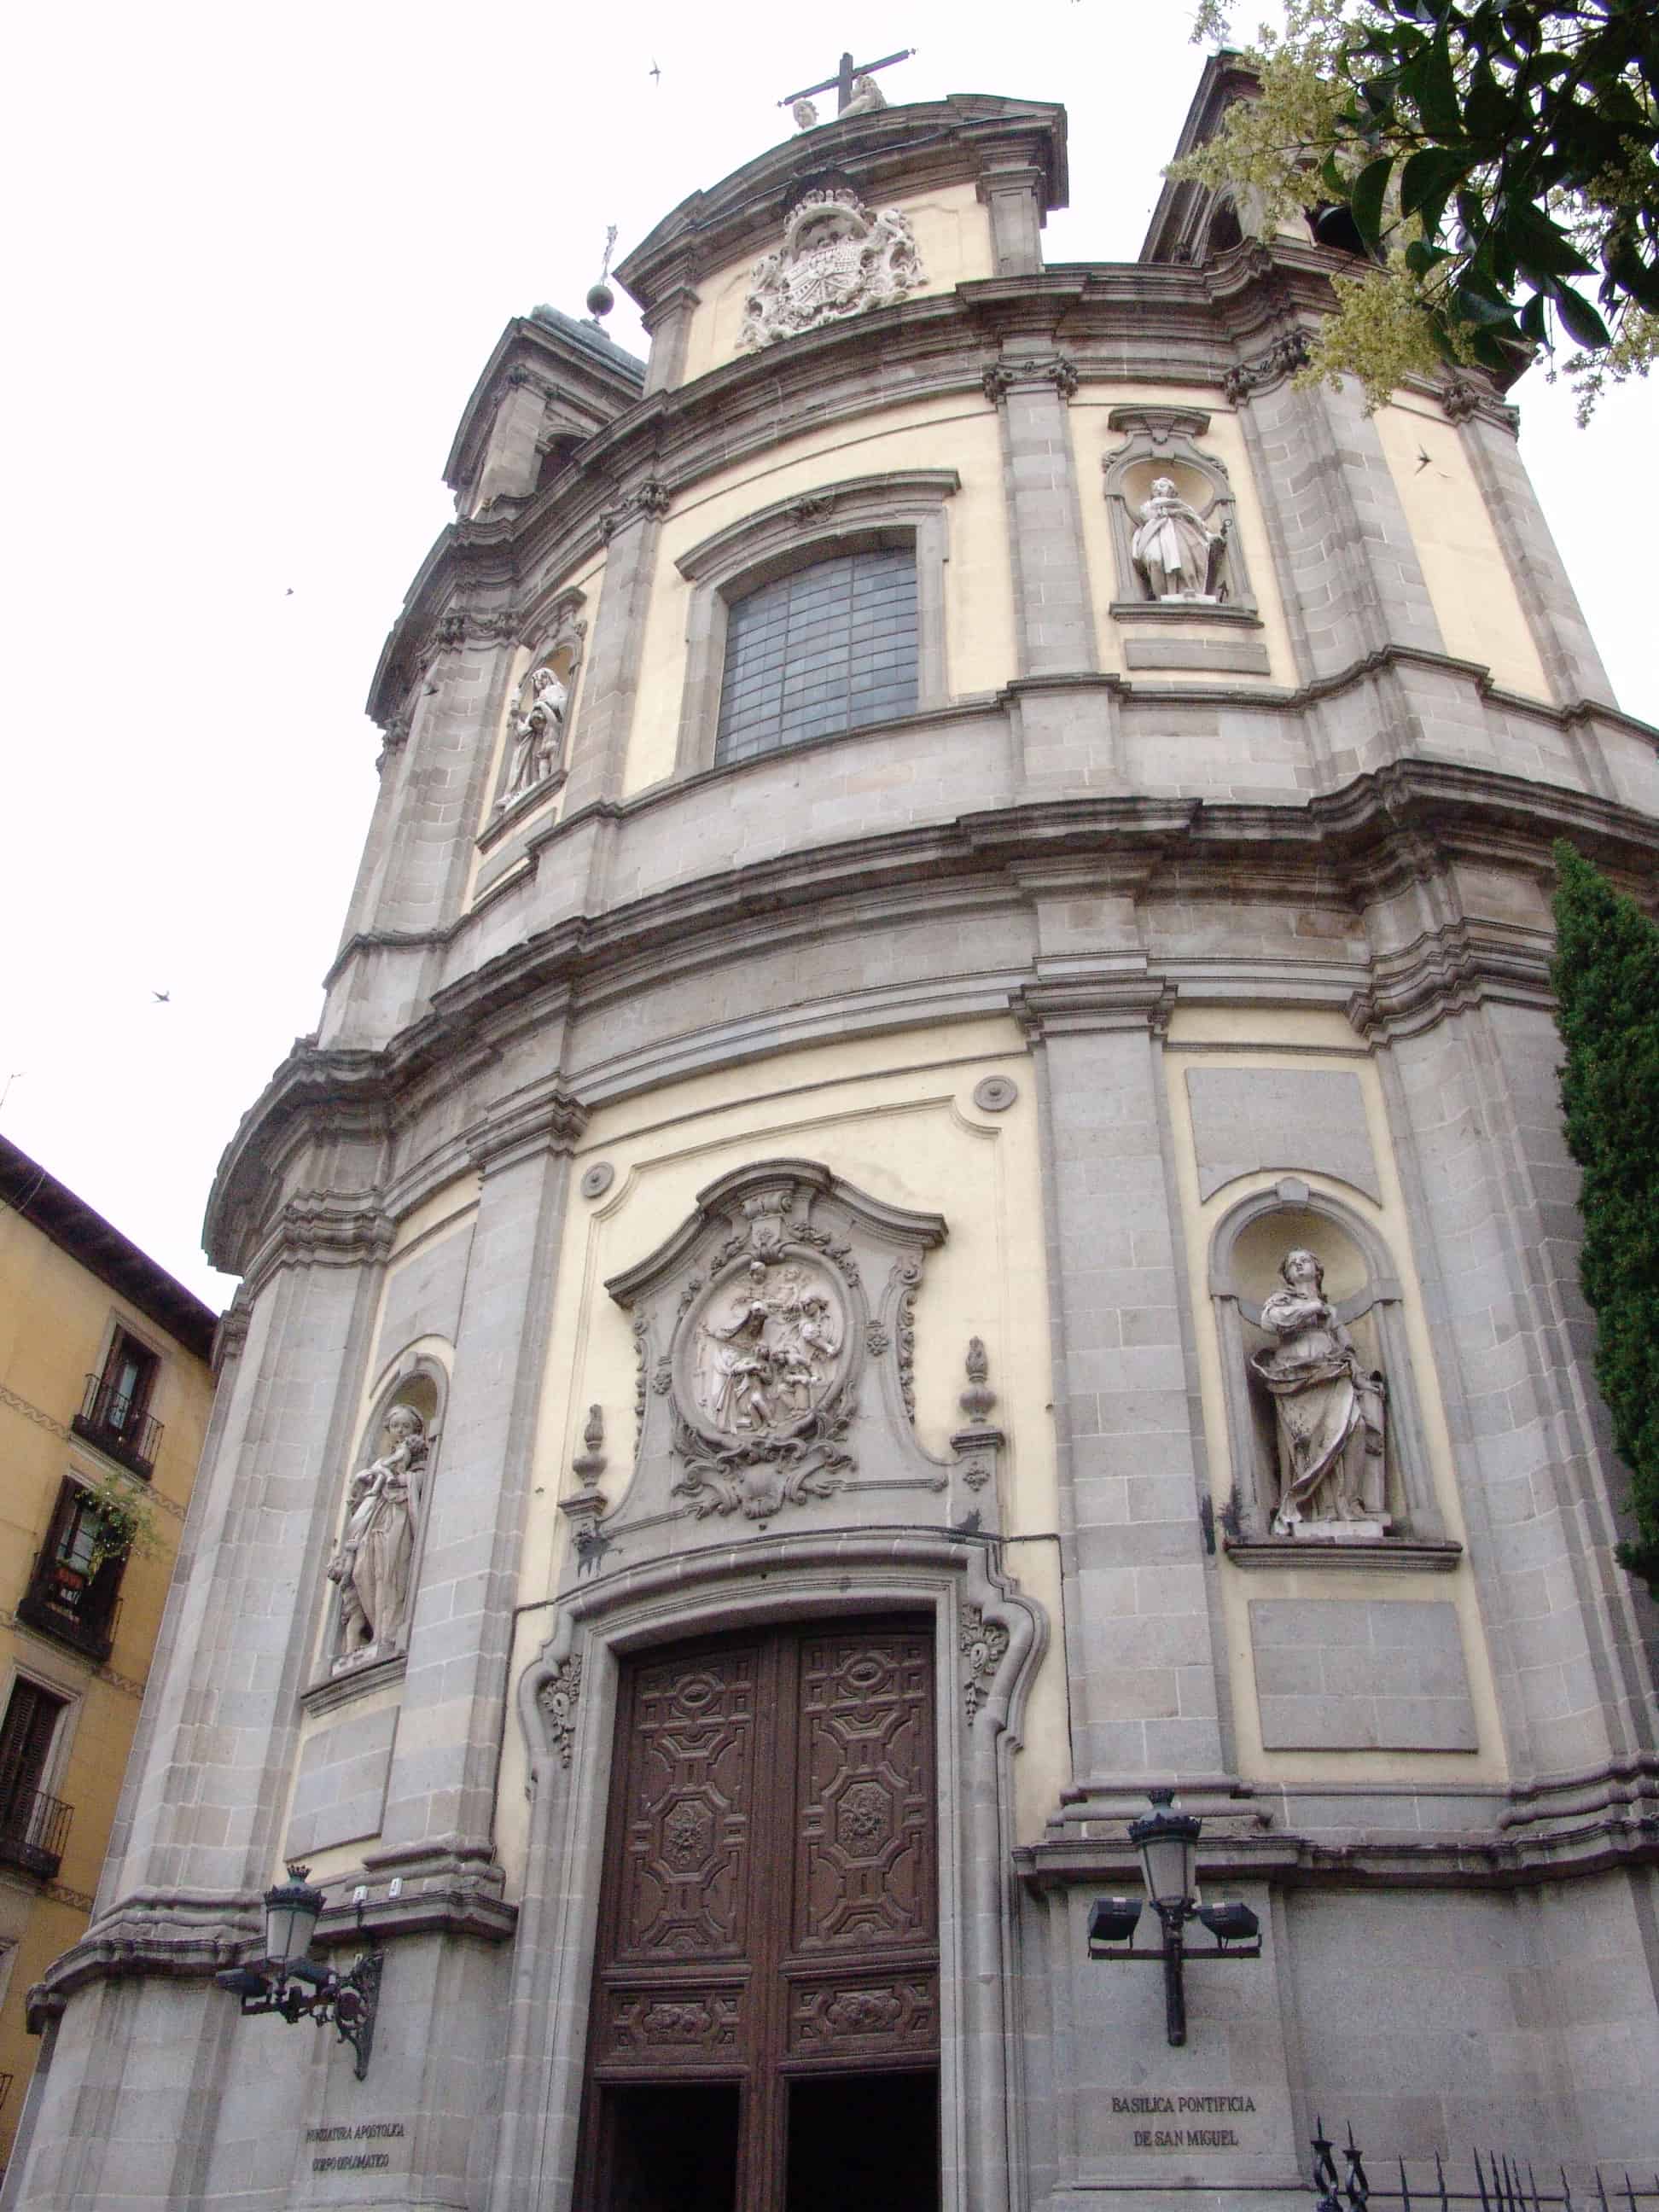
pixel 775 1339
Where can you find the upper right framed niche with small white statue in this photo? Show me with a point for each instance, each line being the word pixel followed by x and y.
pixel 1176 530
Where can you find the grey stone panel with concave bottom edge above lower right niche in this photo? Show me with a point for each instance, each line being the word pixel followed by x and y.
pixel 1302 1120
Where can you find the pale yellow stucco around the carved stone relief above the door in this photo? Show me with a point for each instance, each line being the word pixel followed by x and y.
pixel 895 1118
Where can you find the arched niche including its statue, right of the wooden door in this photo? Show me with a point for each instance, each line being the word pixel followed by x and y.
pixel 1326 1434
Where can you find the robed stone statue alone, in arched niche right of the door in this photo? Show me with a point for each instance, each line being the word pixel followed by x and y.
pixel 1328 1412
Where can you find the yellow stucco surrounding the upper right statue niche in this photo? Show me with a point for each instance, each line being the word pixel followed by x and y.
pixel 1094 444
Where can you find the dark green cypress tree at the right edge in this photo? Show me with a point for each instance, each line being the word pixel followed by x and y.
pixel 1607 990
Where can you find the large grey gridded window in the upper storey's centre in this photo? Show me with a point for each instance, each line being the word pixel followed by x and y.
pixel 824 649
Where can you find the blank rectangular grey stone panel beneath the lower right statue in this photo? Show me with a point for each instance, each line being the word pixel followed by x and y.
pixel 1355 1676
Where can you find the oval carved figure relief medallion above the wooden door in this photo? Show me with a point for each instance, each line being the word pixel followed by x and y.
pixel 766 1353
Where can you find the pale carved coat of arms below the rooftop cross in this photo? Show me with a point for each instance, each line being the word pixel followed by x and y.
pixel 837 260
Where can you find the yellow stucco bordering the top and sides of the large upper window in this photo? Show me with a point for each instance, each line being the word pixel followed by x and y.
pixel 979 601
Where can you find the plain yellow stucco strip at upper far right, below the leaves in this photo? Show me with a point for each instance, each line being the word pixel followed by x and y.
pixel 1463 565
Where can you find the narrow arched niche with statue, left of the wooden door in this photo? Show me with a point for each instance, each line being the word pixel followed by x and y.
pixel 375 1561
